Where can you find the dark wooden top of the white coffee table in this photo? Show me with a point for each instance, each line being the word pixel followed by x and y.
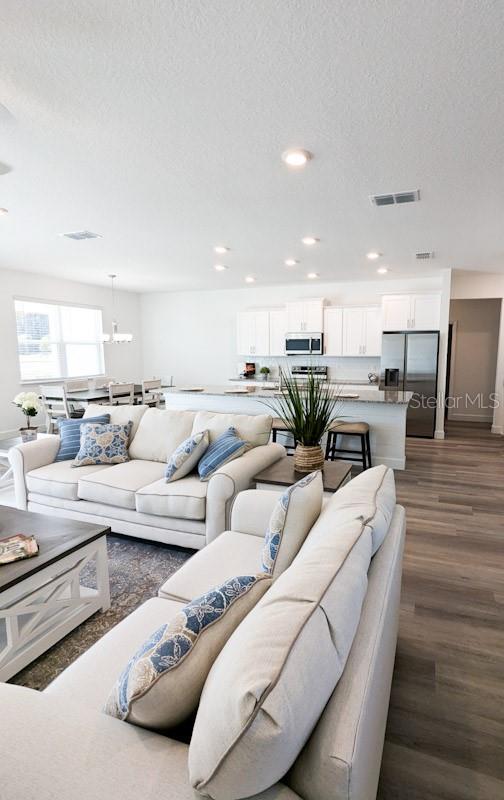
pixel 55 537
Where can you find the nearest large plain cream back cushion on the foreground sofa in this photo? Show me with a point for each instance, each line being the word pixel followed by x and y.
pixel 293 644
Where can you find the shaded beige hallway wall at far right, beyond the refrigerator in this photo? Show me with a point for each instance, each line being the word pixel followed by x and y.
pixel 474 360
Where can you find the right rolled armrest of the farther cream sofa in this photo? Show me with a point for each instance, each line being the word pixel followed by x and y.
pixel 232 478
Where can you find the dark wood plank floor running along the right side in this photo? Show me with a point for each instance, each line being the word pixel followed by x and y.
pixel 445 732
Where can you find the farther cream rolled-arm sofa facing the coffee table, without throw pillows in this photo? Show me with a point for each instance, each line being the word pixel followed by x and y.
pixel 133 498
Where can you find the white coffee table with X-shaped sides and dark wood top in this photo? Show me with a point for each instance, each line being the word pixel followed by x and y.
pixel 42 598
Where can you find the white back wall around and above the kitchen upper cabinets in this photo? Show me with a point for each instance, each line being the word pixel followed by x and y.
pixel 192 335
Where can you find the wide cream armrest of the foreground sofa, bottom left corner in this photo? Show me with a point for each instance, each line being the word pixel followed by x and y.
pixel 51 749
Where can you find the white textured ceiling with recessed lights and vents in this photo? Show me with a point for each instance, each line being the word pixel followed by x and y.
pixel 160 126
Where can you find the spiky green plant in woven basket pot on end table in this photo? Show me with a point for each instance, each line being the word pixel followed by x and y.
pixel 307 410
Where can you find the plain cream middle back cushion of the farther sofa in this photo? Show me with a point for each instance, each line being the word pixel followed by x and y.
pixel 159 433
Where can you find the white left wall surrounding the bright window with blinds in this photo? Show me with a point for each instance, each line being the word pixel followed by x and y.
pixel 121 361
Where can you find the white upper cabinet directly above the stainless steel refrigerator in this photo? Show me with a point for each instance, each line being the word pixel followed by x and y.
pixel 420 312
